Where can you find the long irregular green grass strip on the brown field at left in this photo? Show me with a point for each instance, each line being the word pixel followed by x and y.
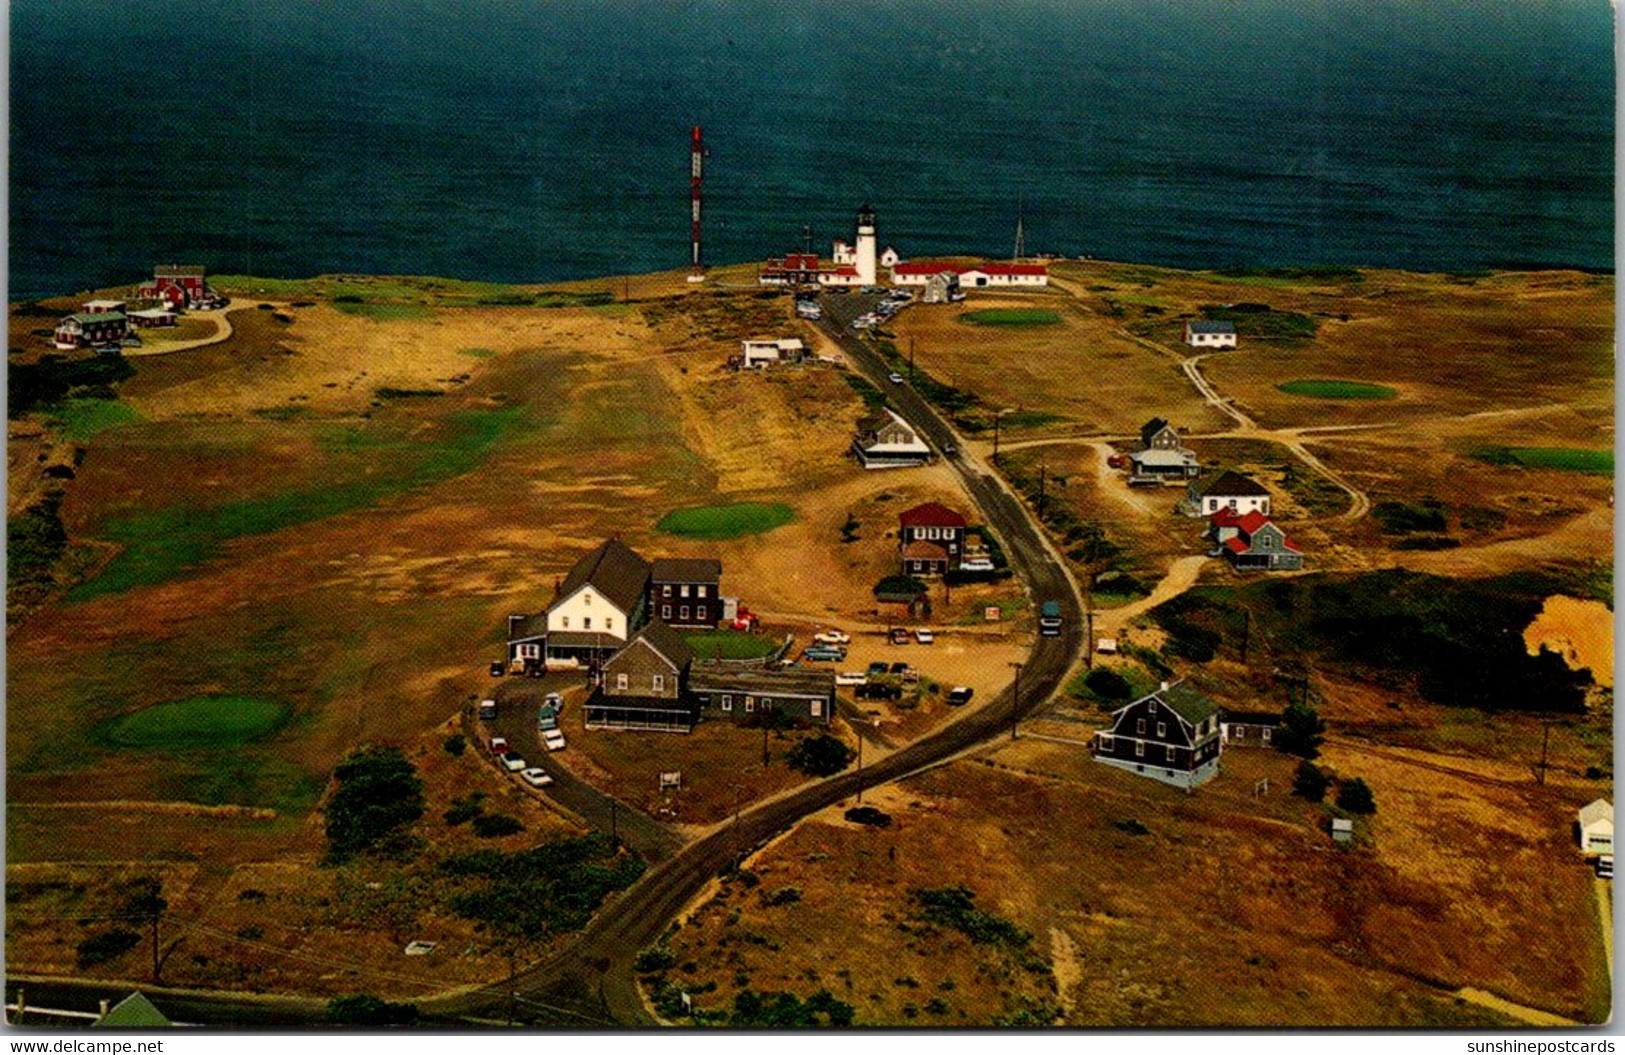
pixel 163 544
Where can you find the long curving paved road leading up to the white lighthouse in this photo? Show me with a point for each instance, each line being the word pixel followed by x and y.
pixel 594 976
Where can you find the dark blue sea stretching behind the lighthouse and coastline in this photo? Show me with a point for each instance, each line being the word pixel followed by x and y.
pixel 526 141
